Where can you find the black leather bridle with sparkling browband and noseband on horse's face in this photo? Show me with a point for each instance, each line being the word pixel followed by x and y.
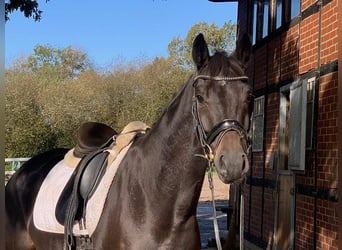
pixel 221 128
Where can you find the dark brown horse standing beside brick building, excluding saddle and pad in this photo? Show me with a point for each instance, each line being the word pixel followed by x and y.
pixel 152 200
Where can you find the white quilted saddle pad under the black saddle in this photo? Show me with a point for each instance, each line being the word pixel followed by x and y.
pixel 44 209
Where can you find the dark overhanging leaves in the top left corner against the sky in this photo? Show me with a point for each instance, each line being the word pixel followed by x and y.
pixel 30 8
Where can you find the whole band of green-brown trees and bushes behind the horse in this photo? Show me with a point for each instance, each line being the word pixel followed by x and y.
pixel 53 91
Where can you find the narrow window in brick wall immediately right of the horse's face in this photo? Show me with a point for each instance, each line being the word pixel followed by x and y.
pixel 258 124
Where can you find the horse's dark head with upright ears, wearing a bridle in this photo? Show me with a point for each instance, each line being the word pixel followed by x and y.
pixel 222 107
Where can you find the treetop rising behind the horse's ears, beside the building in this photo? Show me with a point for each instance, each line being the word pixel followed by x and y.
pixel 217 38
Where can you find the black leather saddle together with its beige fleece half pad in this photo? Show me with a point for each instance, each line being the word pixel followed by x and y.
pixel 96 145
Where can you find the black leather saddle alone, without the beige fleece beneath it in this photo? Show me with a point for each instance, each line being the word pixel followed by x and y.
pixel 93 139
